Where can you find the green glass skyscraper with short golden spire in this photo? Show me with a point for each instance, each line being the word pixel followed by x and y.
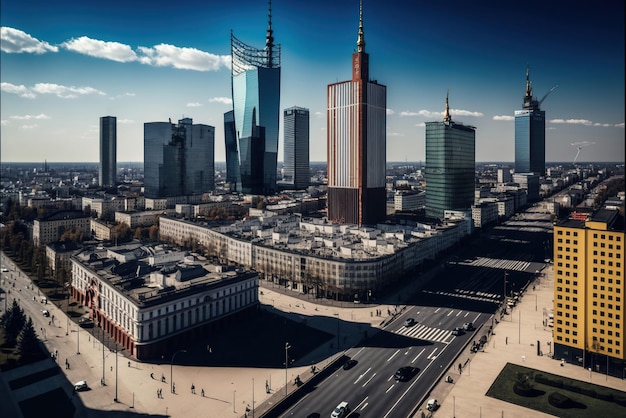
pixel 450 165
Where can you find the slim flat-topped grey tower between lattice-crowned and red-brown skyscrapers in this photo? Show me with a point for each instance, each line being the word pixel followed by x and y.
pixel 296 158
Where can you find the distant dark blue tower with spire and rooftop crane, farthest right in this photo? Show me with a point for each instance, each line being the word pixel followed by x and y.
pixel 530 135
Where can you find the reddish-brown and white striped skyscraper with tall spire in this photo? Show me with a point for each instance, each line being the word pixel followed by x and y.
pixel 356 126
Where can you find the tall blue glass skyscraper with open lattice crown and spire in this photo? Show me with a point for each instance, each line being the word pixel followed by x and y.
pixel 256 104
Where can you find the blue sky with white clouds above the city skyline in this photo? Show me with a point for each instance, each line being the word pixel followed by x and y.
pixel 66 63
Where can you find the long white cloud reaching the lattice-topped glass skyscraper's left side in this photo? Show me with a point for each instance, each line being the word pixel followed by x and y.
pixel 164 55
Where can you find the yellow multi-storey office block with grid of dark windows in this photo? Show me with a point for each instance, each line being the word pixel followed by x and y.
pixel 589 292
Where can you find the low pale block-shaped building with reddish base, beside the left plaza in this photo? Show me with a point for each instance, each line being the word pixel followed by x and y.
pixel 153 305
